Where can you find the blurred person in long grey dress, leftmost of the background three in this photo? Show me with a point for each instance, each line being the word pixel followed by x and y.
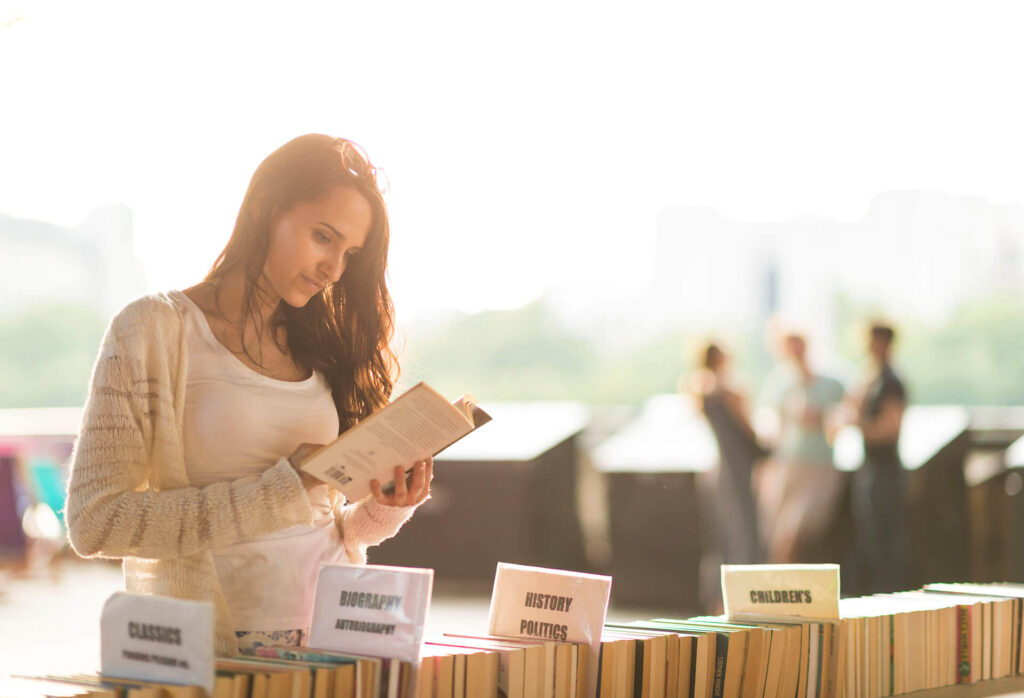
pixel 727 411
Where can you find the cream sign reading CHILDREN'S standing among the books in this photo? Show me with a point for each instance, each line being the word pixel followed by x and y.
pixel 781 591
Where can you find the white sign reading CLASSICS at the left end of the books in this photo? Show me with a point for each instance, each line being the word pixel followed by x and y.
pixel 158 639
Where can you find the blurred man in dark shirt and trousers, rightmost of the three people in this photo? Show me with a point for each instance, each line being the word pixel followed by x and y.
pixel 879 492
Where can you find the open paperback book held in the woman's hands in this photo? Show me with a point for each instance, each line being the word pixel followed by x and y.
pixel 418 424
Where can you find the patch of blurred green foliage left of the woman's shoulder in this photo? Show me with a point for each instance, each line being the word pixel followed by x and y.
pixel 47 356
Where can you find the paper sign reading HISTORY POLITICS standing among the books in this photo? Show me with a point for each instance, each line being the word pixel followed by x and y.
pixel 548 604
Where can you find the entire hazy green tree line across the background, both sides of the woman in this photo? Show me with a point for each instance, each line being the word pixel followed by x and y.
pixel 973 358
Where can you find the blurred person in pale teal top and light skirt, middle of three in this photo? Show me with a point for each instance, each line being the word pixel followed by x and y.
pixel 800 488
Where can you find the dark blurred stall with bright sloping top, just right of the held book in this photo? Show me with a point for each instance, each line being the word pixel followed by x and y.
pixel 504 494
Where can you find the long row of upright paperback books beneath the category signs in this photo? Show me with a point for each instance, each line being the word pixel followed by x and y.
pixel 883 645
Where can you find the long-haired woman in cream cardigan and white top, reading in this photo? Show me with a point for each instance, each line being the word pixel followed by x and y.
pixel 203 404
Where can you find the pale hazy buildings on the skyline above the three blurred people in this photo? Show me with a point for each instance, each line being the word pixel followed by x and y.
pixel 915 253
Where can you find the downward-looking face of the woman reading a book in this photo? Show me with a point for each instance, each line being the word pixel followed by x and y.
pixel 313 243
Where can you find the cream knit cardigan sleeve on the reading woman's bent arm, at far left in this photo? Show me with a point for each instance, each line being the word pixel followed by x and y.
pixel 131 439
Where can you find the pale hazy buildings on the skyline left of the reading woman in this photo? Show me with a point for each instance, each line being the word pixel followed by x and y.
pixel 93 264
